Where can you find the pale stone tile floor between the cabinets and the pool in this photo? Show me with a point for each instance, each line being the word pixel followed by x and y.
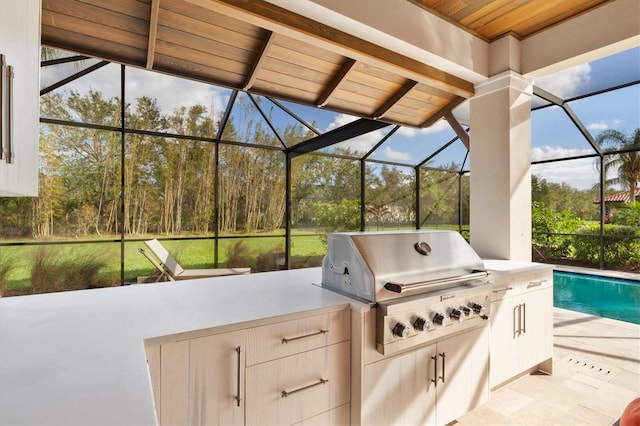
pixel 596 373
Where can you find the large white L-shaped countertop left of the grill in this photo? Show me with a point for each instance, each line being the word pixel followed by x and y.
pixel 78 357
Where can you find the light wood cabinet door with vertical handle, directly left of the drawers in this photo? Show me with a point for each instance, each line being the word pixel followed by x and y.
pixel 216 377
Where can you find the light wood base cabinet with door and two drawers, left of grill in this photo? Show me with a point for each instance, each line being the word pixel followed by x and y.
pixel 295 371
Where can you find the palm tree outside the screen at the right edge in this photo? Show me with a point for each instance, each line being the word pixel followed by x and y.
pixel 626 163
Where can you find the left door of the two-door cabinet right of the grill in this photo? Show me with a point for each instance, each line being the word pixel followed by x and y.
pixel 504 359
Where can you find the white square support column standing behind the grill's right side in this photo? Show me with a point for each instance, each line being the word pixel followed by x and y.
pixel 501 168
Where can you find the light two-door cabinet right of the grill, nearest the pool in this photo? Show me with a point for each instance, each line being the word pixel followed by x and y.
pixel 521 324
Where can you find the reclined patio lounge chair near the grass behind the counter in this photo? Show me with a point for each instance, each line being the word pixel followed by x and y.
pixel 169 268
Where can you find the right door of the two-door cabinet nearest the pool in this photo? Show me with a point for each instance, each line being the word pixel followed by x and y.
pixel 536 341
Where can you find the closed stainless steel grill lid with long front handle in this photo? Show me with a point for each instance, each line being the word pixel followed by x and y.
pixel 378 266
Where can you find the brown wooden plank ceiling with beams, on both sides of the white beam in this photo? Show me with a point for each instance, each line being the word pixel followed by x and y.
pixel 257 47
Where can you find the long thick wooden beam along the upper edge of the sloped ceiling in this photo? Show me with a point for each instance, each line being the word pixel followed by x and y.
pixel 285 22
